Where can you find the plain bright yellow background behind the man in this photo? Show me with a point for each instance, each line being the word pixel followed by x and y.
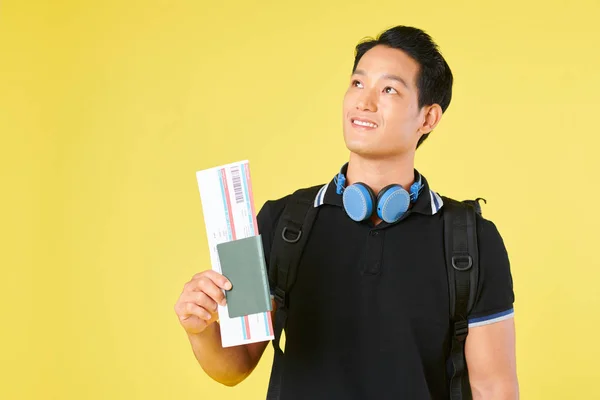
pixel 108 108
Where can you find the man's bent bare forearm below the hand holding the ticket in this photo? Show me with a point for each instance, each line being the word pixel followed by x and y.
pixel 229 365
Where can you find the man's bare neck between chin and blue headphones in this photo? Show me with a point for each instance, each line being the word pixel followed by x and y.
pixel 378 173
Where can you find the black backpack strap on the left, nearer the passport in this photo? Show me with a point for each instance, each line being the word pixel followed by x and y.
pixel 291 235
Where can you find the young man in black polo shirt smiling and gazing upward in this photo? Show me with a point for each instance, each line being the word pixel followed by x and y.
pixel 368 314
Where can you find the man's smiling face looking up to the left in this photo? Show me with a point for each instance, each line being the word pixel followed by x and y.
pixel 381 114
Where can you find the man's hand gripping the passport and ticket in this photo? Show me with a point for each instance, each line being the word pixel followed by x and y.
pixel 197 304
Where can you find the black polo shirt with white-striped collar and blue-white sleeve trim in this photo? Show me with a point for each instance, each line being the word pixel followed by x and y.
pixel 369 313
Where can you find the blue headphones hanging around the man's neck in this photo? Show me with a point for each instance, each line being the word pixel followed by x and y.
pixel 391 202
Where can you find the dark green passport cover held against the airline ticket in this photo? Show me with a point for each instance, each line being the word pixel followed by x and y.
pixel 243 263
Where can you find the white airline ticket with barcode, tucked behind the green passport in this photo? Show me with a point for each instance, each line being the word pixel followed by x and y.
pixel 229 214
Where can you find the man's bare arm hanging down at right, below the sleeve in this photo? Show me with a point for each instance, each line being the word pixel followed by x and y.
pixel 491 361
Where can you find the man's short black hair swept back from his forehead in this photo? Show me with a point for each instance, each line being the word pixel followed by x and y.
pixel 434 79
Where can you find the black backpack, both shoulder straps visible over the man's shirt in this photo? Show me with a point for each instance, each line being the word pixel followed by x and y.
pixel 462 265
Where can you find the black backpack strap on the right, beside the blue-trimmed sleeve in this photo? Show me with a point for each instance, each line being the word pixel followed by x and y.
pixel 462 266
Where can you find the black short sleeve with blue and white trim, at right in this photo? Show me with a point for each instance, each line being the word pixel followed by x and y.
pixel 495 295
